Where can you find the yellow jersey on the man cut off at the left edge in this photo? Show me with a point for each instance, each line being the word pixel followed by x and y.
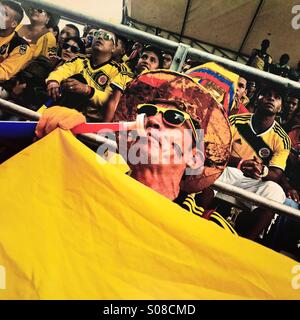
pixel 14 54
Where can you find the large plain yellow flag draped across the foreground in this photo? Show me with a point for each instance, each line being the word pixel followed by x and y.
pixel 72 228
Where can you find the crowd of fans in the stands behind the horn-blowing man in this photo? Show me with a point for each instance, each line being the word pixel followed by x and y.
pixel 42 66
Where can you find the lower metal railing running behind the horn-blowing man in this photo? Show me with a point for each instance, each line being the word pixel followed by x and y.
pixel 219 186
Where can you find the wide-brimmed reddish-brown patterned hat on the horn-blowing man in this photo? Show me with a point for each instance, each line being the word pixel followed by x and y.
pixel 202 107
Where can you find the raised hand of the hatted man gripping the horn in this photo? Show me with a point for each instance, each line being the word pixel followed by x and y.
pixel 58 117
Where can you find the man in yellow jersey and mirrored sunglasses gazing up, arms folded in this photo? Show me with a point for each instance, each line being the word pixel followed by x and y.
pixel 86 80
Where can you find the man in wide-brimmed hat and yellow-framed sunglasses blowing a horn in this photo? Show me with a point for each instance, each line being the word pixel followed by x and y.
pixel 166 155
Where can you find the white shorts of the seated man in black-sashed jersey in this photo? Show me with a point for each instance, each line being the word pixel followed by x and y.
pixel 267 189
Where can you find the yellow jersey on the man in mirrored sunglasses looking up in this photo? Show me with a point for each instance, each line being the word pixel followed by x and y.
pixel 99 78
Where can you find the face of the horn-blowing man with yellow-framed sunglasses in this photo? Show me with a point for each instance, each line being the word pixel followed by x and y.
pixel 169 134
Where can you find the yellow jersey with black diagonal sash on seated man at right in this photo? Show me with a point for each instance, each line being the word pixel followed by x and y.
pixel 272 146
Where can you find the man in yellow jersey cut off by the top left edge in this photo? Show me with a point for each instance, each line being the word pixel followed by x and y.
pixel 14 51
